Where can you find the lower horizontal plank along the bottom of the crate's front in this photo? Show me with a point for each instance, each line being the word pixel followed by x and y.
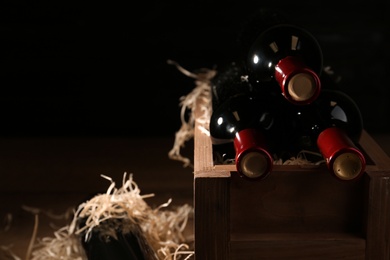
pixel 299 247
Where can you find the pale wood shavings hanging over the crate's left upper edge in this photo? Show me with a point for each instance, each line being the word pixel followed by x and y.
pixel 202 91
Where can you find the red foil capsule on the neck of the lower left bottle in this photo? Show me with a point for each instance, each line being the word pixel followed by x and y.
pixel 253 161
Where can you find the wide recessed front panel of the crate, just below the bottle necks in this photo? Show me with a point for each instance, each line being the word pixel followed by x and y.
pixel 296 202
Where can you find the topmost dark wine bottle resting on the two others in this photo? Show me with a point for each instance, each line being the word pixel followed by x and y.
pixel 285 53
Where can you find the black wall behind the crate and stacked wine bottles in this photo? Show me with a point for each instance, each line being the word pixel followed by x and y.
pixel 70 68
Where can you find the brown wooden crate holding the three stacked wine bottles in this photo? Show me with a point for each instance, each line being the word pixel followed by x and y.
pixel 297 212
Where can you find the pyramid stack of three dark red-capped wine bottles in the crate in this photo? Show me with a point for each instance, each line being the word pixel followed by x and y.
pixel 277 101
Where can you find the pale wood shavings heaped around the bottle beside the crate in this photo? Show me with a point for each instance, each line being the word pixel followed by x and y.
pixel 162 227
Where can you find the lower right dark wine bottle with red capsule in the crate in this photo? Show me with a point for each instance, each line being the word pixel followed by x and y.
pixel 331 125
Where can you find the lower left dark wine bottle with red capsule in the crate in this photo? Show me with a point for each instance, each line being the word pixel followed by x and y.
pixel 254 125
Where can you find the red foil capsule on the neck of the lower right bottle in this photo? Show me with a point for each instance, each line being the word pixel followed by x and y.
pixel 343 158
